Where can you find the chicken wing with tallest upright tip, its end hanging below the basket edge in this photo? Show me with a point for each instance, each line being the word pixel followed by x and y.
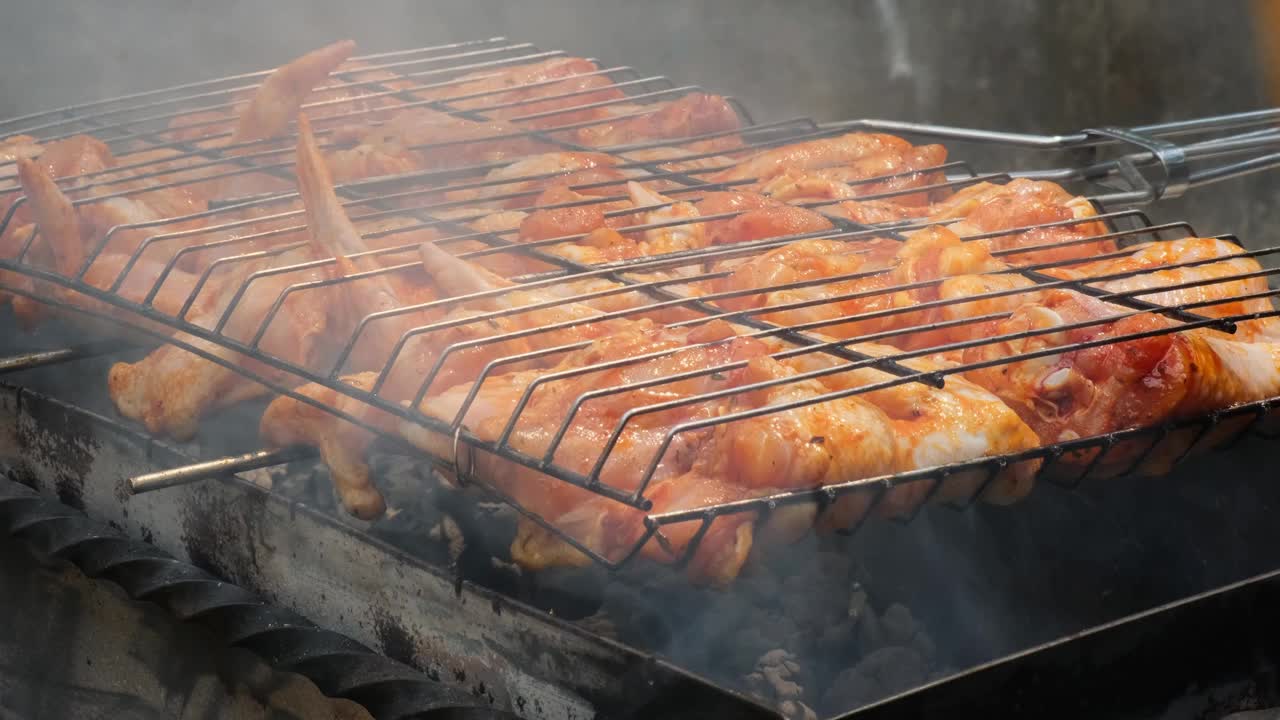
pixel 342 444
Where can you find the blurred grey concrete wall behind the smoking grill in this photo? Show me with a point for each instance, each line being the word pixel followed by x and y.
pixel 1009 65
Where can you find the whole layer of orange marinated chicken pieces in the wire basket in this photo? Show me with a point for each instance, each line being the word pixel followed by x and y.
pixel 467 340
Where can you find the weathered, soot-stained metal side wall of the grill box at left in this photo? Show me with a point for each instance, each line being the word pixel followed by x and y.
pixel 511 657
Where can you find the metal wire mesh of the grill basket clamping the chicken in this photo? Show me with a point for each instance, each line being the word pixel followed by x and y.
pixel 140 122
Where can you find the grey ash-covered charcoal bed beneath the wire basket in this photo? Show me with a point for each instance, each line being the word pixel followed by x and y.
pixel 804 630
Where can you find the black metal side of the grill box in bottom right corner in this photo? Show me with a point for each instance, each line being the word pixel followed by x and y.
pixel 1222 645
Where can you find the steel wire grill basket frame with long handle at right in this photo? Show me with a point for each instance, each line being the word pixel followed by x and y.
pixel 1154 152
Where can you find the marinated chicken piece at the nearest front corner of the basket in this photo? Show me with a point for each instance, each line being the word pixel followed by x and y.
pixel 711 466
